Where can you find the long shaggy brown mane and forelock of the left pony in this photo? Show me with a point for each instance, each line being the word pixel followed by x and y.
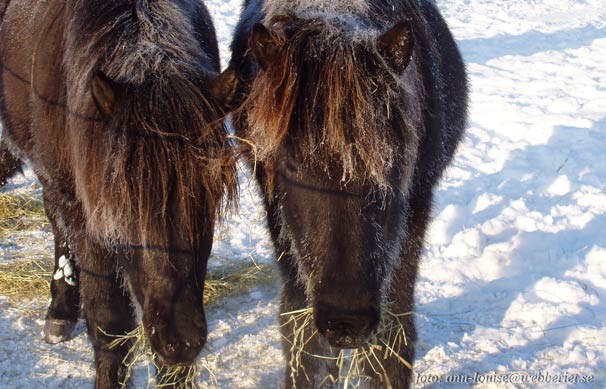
pixel 165 147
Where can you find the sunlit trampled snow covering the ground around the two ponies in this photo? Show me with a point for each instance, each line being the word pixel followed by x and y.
pixel 514 275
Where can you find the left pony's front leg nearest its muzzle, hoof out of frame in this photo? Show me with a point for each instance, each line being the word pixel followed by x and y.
pixel 108 312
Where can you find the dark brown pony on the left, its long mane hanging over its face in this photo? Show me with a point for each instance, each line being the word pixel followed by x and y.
pixel 112 104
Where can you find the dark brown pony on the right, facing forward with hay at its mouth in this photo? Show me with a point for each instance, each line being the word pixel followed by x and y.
pixel 354 108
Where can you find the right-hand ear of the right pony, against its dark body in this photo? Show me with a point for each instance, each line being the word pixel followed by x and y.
pixel 396 45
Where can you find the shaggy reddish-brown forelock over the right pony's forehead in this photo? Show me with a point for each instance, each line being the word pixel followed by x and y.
pixel 333 100
